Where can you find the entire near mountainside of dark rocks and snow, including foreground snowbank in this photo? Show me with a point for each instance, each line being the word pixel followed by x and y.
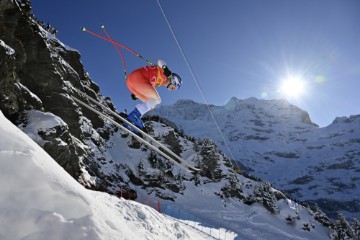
pixel 38 76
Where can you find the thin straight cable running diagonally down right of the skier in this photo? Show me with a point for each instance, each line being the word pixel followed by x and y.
pixel 195 78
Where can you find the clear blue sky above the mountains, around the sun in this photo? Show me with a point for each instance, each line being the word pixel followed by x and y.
pixel 235 48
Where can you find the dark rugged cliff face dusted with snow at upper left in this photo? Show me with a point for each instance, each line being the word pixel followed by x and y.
pixel 37 72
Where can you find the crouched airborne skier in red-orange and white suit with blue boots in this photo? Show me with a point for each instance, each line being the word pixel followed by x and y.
pixel 142 83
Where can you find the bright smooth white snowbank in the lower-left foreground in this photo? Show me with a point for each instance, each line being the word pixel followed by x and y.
pixel 39 200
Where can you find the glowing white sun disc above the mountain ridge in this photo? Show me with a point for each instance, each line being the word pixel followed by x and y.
pixel 292 87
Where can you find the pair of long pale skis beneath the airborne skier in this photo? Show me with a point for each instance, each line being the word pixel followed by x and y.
pixel 148 140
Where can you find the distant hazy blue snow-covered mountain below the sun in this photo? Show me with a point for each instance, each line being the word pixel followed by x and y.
pixel 277 142
